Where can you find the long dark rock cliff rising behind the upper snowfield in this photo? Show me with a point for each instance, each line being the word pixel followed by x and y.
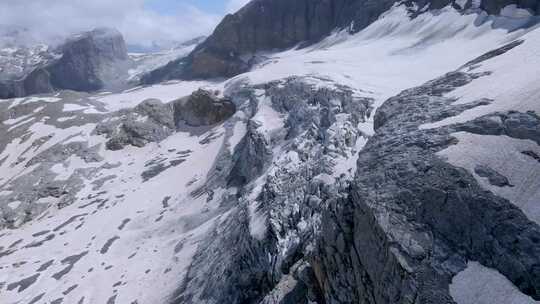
pixel 265 25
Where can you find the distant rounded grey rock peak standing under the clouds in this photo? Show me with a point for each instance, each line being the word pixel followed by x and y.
pixel 87 62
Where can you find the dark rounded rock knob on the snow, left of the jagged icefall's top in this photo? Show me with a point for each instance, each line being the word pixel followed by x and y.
pixel 202 108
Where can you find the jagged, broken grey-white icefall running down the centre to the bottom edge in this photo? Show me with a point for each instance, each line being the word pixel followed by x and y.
pixel 288 200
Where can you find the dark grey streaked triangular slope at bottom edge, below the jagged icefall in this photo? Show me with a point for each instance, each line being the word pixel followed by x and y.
pixel 236 273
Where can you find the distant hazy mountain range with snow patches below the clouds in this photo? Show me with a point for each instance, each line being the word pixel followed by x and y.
pixel 91 61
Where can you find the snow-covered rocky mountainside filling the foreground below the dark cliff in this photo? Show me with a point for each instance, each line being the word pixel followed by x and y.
pixel 398 162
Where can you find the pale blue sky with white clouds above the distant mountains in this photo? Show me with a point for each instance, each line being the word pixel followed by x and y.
pixel 51 20
